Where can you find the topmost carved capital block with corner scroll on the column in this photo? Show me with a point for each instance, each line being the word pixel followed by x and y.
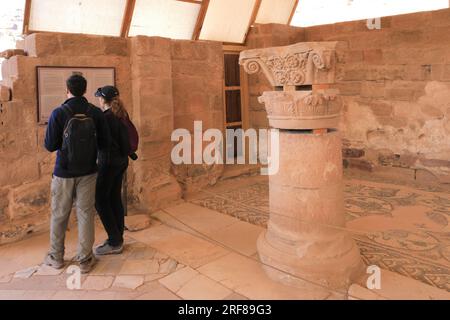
pixel 305 63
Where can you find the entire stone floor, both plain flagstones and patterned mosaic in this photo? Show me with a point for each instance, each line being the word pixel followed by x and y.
pixel 205 248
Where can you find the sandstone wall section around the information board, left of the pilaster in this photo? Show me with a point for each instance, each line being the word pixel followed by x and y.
pixel 26 167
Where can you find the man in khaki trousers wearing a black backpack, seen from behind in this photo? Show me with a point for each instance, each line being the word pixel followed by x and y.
pixel 77 130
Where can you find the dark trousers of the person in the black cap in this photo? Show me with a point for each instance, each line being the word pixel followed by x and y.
pixel 108 201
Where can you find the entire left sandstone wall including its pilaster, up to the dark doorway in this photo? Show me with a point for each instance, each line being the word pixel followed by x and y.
pixel 156 78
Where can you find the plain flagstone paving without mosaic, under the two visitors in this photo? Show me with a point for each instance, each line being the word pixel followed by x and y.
pixel 167 261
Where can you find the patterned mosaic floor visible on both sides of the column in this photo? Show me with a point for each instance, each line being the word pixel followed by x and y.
pixel 399 228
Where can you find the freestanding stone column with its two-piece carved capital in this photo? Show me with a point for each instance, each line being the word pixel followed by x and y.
pixel 305 236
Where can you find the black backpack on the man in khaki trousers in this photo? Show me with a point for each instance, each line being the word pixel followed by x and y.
pixel 79 141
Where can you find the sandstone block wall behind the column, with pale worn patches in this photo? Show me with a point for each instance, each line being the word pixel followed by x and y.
pixel 396 87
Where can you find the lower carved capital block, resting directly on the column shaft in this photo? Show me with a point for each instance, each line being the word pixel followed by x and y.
pixel 302 110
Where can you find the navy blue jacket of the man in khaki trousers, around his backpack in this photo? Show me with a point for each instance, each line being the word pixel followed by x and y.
pixel 55 128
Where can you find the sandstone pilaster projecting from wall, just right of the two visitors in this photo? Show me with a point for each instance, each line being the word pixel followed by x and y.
pixel 151 75
